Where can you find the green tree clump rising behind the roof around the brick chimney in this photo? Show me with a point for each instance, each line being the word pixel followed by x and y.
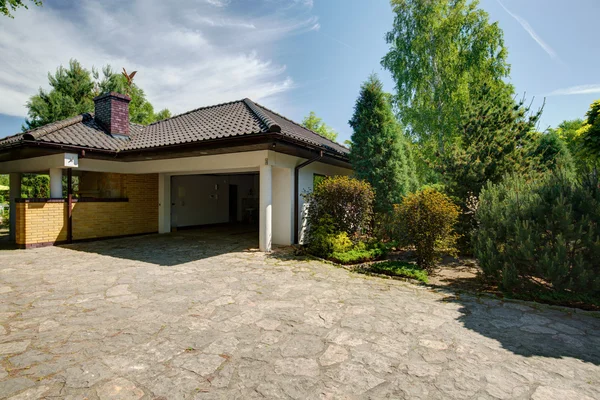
pixel 72 93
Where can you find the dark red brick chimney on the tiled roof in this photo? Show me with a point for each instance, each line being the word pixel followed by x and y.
pixel 112 113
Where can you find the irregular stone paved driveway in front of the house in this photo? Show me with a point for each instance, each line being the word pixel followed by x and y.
pixel 194 316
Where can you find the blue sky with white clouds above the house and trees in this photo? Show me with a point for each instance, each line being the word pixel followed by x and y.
pixel 293 56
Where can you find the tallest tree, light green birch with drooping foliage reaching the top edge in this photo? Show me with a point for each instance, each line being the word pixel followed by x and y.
pixel 439 50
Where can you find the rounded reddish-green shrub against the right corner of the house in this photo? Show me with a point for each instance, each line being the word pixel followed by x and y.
pixel 339 204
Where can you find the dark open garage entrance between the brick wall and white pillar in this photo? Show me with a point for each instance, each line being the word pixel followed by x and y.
pixel 227 201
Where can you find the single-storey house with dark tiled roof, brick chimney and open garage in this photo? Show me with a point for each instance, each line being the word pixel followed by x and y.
pixel 226 163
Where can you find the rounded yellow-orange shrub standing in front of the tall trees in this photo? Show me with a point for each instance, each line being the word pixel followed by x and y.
pixel 426 221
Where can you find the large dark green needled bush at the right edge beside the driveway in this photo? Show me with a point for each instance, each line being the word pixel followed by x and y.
pixel 541 234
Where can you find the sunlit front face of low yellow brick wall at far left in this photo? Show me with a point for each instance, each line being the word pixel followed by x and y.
pixel 39 223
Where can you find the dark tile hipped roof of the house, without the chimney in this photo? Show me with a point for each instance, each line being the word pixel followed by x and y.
pixel 238 118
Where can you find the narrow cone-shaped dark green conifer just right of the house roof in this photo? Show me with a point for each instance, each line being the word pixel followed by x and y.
pixel 380 154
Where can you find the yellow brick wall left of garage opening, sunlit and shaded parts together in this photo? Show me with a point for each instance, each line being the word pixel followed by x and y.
pixel 43 223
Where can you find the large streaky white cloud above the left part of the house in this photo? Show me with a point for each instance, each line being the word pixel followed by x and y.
pixel 195 54
